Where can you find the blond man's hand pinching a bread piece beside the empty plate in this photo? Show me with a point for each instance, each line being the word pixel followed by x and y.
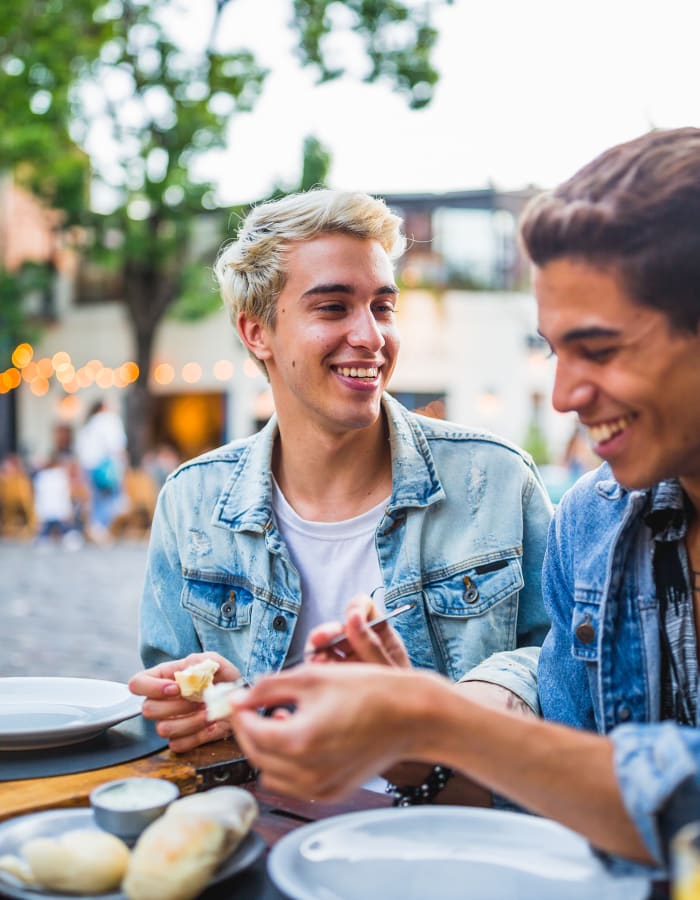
pixel 183 722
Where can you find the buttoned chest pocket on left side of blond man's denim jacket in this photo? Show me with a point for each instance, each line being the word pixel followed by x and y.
pixel 216 599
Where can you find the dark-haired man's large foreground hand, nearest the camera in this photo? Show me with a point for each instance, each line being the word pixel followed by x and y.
pixel 349 722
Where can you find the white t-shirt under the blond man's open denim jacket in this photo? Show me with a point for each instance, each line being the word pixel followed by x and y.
pixel 335 561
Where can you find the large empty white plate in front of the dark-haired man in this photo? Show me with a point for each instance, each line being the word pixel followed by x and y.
pixel 444 853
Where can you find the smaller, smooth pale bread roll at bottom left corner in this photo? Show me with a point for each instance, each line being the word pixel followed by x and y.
pixel 84 861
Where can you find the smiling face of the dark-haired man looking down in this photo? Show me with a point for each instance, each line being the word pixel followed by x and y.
pixel 632 379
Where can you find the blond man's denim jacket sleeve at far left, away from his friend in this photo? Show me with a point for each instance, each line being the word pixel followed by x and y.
pixel 166 629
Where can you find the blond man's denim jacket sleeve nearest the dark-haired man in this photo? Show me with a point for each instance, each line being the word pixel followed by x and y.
pixel 516 670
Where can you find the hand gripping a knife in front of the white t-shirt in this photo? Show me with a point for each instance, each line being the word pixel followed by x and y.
pixel 381 645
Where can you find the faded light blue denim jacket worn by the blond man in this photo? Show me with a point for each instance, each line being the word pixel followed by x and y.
pixel 463 536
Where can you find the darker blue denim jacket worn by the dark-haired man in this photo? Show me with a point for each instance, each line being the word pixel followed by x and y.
pixel 598 573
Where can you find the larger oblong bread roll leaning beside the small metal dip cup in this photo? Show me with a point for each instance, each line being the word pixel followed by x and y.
pixel 177 855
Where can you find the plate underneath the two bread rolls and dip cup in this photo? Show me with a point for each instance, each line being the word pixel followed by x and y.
pixel 15 832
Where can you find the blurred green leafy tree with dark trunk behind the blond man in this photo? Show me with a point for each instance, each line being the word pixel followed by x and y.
pixel 111 79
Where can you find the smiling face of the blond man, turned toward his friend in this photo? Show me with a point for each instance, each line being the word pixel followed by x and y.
pixel 334 345
